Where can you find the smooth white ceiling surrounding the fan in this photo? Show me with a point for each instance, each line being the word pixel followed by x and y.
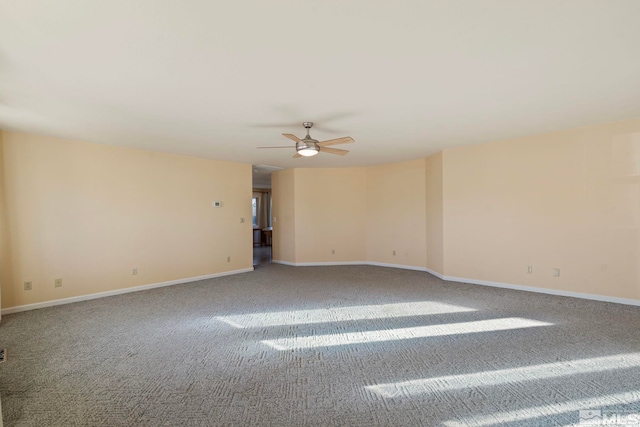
pixel 405 79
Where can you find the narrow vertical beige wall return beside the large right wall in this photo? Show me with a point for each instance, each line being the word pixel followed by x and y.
pixel 434 214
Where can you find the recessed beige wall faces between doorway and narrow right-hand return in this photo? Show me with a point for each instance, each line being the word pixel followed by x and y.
pixel 351 214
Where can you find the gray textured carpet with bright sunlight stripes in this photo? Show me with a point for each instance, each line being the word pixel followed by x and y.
pixel 322 346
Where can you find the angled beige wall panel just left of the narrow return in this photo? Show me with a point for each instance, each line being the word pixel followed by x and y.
pixel 396 212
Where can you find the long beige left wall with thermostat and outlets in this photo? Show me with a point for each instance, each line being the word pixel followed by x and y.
pixel 90 213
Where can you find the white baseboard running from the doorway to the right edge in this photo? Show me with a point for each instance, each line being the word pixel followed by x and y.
pixel 582 295
